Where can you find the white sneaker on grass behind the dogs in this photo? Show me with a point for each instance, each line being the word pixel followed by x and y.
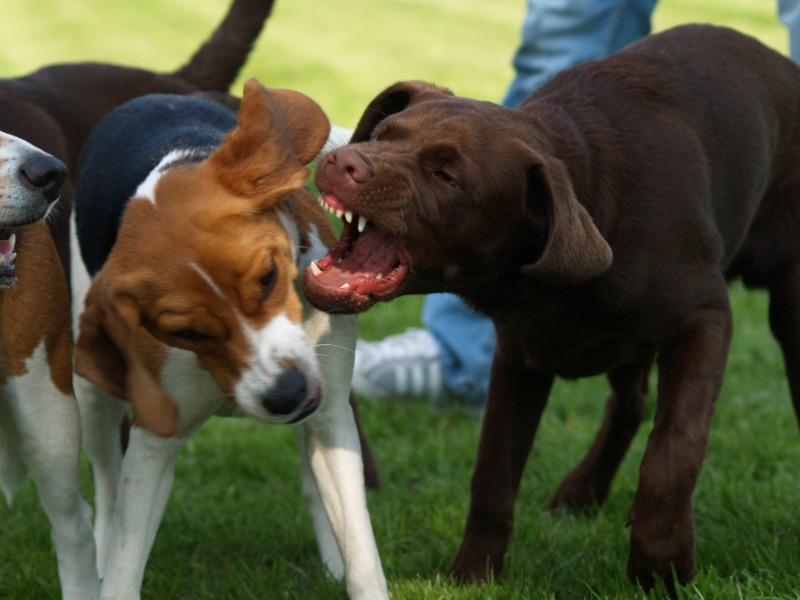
pixel 404 365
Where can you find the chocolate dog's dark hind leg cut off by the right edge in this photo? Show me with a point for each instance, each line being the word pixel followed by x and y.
pixel 784 321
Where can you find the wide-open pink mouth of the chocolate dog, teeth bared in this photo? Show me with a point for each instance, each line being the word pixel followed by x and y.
pixel 364 266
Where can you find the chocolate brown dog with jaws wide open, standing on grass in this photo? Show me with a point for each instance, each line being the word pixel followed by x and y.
pixel 597 226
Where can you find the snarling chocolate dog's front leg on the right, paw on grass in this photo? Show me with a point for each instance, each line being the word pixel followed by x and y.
pixel 690 377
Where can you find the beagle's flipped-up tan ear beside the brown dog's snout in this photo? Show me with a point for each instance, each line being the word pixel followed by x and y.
pixel 278 133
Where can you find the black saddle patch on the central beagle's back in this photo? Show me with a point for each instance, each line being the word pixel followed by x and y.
pixel 138 135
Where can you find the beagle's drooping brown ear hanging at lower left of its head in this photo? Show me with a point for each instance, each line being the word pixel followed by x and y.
pixel 107 353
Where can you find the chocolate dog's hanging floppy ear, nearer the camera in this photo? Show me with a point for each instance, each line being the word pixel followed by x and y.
pixel 575 250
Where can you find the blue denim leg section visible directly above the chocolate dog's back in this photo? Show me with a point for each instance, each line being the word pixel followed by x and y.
pixel 558 34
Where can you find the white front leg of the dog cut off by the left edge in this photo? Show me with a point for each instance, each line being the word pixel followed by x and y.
pixel 48 427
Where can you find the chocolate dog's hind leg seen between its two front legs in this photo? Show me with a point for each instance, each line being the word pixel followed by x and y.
pixel 588 484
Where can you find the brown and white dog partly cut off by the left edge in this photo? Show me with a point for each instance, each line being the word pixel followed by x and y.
pixel 39 422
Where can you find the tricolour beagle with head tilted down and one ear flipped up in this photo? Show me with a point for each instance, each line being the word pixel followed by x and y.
pixel 193 224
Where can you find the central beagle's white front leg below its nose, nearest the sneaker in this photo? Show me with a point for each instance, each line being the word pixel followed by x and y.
pixel 332 449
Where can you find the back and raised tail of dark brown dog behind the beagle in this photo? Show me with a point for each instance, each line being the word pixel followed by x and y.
pixel 56 107
